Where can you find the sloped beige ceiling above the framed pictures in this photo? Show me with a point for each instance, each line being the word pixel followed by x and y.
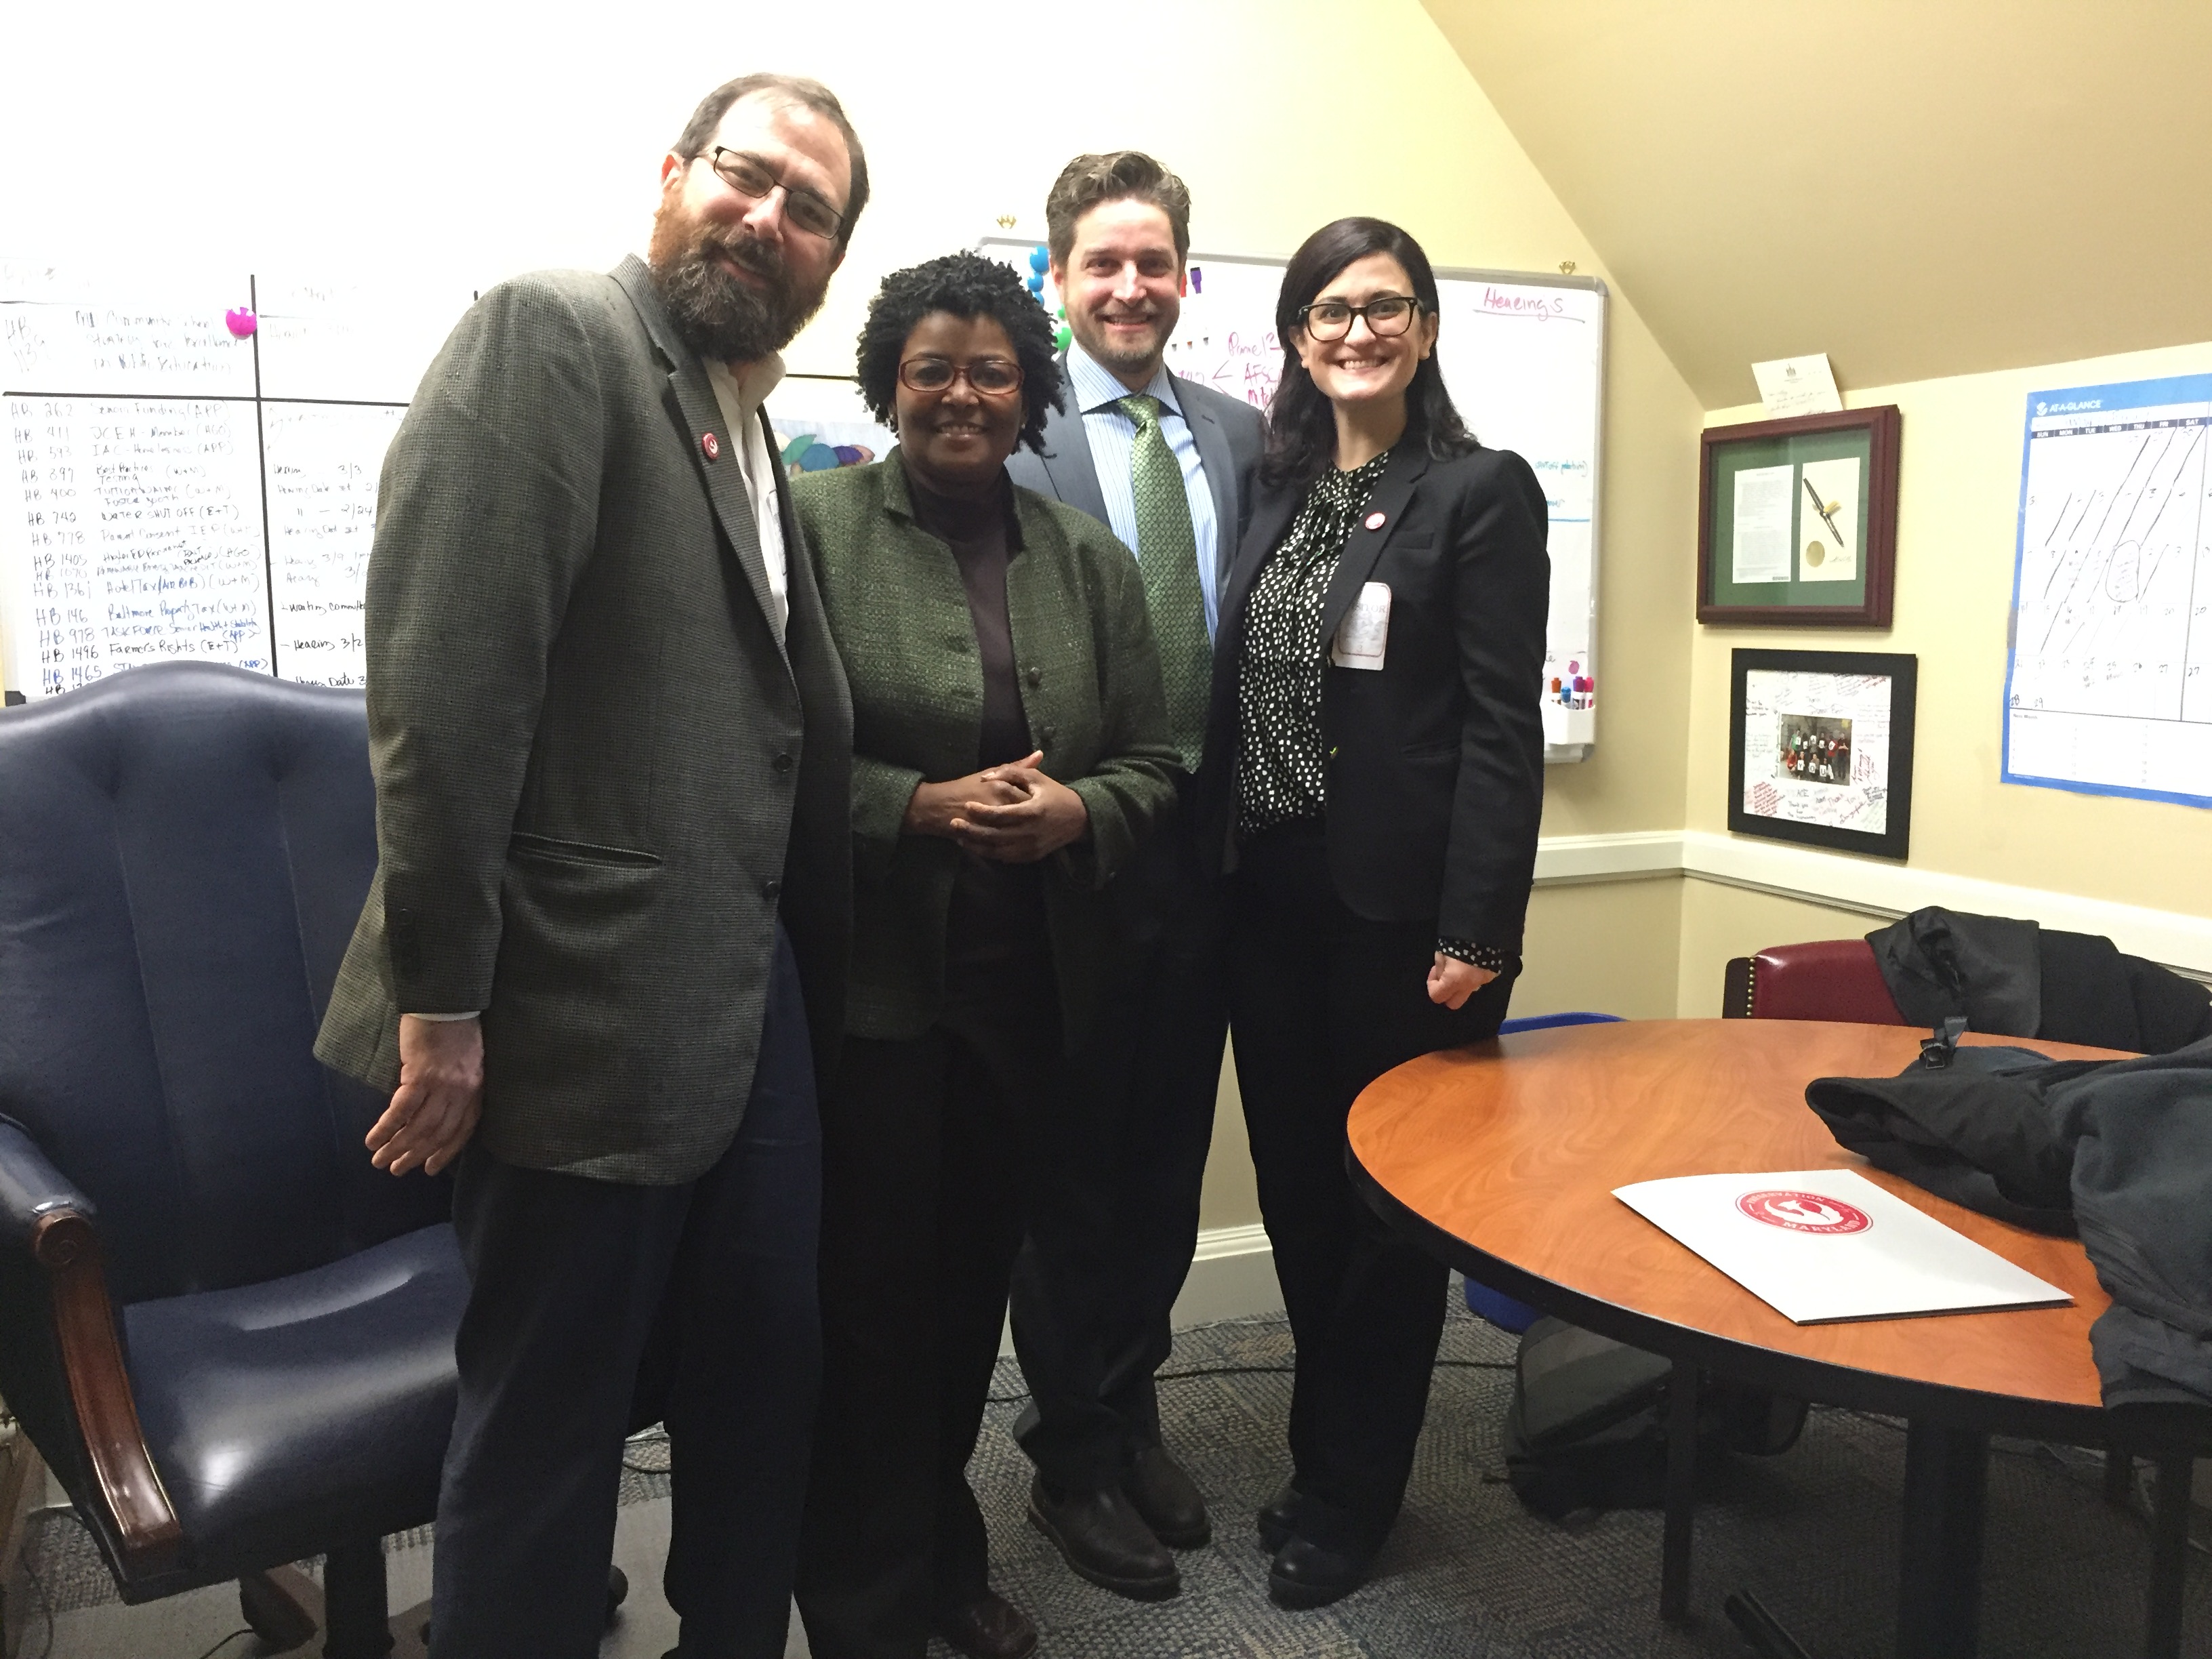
pixel 1912 187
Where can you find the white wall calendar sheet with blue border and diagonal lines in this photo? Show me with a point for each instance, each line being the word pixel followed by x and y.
pixel 2109 662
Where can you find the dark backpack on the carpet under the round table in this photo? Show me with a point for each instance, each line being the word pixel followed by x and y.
pixel 1587 1428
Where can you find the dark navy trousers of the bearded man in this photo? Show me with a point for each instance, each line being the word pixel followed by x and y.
pixel 596 1308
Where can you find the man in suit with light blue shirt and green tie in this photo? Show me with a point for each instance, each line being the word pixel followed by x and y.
pixel 1169 466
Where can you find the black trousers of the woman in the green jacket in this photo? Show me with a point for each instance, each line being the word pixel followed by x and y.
pixel 941 1154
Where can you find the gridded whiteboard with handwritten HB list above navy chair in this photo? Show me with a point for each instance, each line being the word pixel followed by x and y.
pixel 176 488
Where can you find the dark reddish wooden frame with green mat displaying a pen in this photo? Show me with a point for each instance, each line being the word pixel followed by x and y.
pixel 1868 437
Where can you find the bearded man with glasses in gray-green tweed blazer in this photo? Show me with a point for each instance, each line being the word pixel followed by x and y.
pixel 603 959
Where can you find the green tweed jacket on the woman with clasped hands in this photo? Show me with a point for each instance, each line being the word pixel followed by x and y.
pixel 1089 676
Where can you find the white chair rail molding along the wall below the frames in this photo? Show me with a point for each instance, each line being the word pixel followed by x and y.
pixel 1870 886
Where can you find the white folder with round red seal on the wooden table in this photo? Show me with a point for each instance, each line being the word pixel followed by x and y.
pixel 1824 1246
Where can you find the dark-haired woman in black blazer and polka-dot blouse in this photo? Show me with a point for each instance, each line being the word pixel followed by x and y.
pixel 1375 773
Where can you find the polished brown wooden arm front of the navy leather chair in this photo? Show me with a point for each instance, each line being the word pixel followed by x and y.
pixel 147 1530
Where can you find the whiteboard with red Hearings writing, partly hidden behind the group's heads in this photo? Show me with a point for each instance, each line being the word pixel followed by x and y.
pixel 1525 359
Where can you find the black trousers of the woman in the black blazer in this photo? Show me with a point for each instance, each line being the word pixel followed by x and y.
pixel 1324 1003
